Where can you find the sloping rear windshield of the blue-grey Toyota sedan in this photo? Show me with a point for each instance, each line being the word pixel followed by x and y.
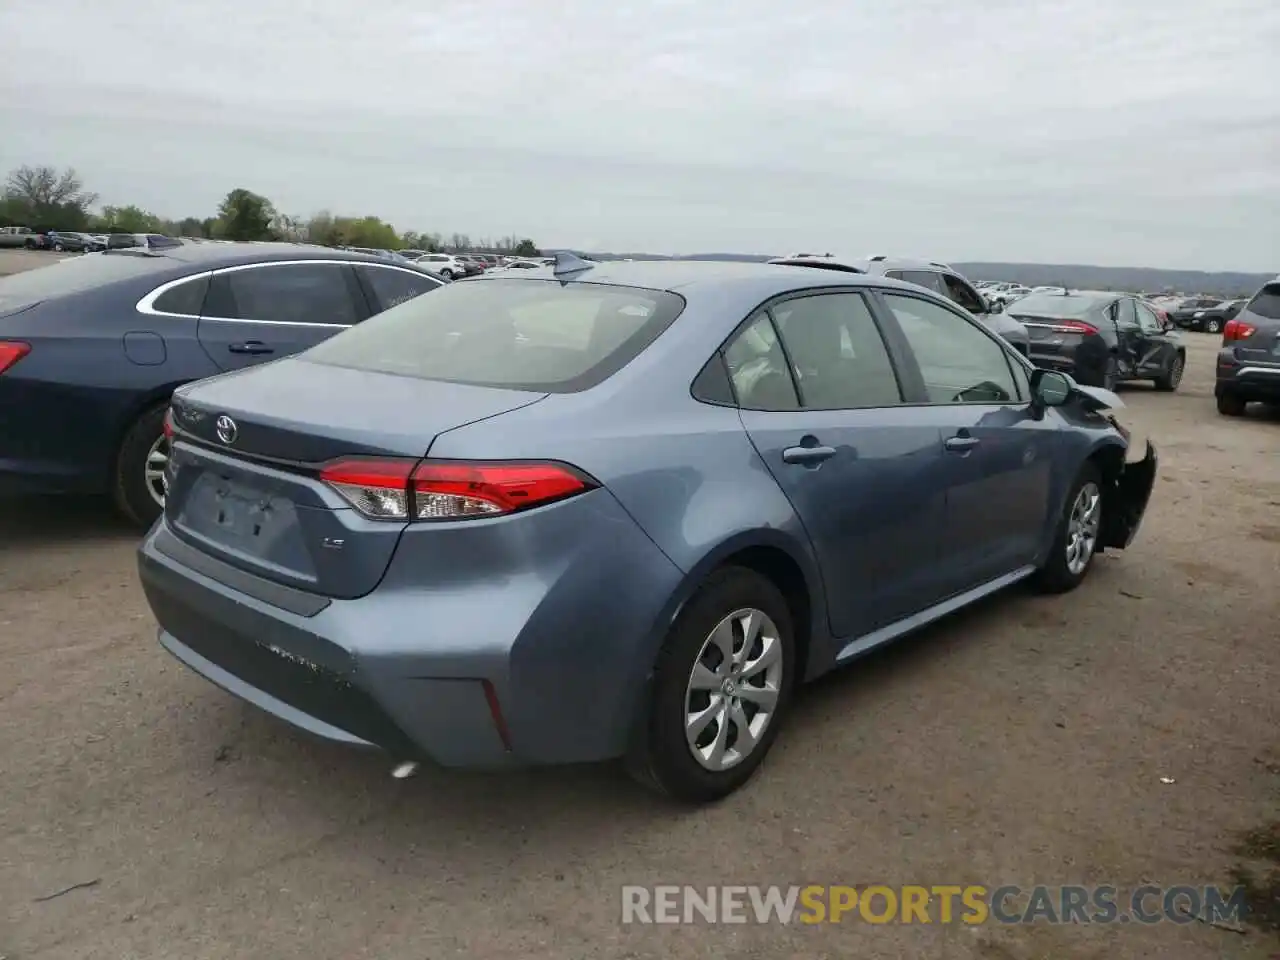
pixel 515 333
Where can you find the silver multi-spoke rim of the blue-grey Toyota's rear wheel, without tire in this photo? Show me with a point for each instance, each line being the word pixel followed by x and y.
pixel 734 689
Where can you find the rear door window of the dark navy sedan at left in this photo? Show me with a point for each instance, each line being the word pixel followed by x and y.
pixel 285 294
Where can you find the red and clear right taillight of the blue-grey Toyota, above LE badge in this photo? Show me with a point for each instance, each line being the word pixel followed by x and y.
pixel 403 490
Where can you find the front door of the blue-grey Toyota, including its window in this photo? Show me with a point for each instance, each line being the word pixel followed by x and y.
pixel 996 470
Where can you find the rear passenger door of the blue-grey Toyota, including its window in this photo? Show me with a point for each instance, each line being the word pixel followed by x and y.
pixel 821 400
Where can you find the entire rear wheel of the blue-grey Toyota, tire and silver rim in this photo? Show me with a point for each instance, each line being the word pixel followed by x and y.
pixel 721 688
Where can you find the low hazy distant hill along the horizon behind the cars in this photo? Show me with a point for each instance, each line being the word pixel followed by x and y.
pixel 1081 276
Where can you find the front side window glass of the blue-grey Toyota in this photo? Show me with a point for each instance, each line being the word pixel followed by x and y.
pixel 961 363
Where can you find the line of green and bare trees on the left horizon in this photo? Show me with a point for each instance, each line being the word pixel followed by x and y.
pixel 48 199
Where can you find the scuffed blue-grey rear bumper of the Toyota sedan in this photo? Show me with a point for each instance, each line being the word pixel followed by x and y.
pixel 414 669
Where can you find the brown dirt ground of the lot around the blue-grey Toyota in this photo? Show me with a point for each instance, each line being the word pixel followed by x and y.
pixel 1026 742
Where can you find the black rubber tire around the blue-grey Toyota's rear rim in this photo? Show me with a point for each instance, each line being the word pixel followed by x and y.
pixel 662 760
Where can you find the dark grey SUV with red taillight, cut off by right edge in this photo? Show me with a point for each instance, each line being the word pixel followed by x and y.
pixel 1249 364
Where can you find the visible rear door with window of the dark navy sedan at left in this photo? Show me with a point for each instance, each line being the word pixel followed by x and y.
pixel 266 312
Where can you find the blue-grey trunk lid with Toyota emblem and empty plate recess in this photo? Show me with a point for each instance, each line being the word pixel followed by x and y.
pixel 249 447
